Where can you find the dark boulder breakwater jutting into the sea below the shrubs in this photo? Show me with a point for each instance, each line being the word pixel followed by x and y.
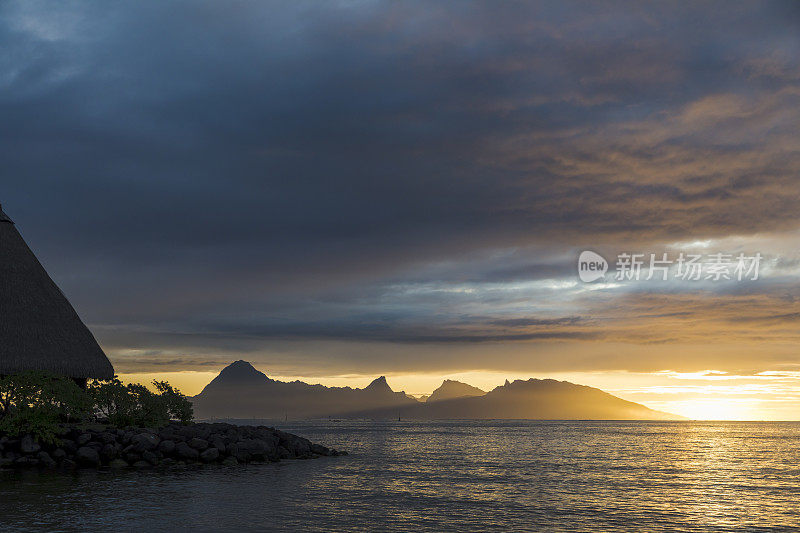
pixel 171 446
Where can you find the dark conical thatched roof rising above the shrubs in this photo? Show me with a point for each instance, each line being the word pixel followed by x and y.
pixel 39 329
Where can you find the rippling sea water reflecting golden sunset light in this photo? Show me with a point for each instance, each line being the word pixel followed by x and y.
pixel 451 476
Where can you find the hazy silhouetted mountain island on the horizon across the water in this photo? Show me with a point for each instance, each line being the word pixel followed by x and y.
pixel 241 391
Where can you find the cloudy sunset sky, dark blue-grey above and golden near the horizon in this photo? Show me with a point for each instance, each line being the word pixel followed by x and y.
pixel 336 191
